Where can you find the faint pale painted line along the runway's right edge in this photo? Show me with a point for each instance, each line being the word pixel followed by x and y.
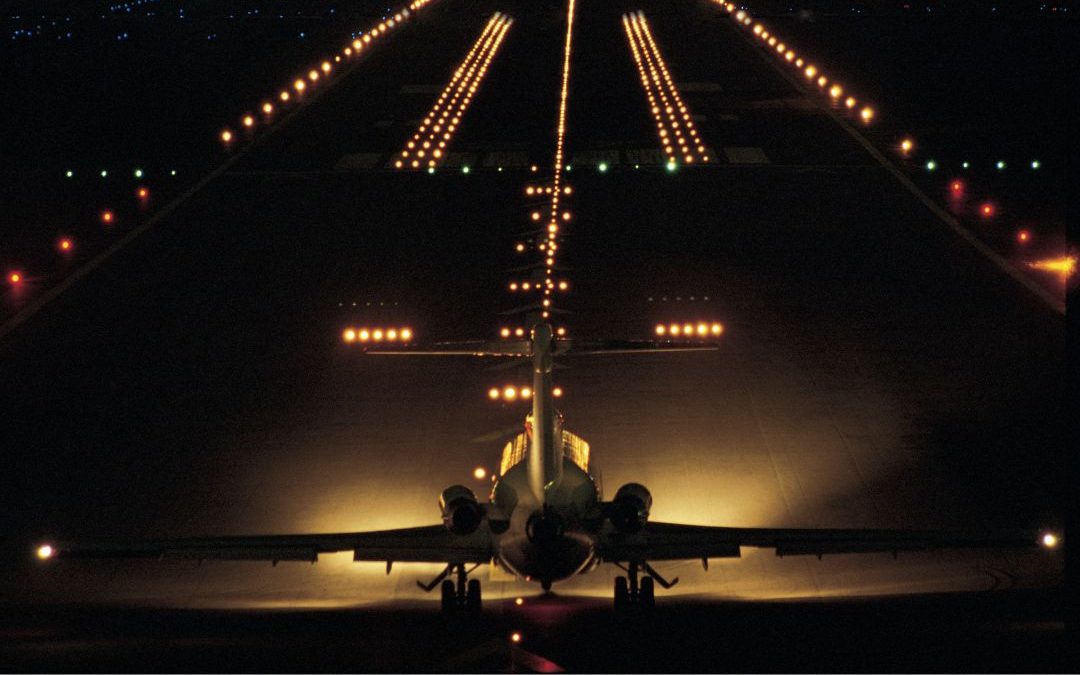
pixel 1003 264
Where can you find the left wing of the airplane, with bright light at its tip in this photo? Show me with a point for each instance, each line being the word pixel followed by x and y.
pixel 417 545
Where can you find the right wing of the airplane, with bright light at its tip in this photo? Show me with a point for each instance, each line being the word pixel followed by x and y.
pixel 667 542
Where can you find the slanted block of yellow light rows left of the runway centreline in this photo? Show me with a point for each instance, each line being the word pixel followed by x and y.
pixel 429 144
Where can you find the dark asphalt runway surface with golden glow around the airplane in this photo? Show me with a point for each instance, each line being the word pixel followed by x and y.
pixel 875 370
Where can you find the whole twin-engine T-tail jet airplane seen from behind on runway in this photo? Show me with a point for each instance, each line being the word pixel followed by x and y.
pixel 546 520
